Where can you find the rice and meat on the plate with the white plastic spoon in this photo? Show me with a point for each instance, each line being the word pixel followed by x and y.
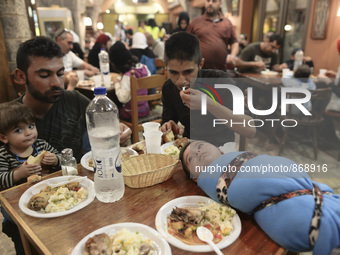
pixel 183 222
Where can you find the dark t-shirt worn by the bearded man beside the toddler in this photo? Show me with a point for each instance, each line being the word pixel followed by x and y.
pixel 65 125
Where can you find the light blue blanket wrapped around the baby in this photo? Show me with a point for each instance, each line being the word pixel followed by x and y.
pixel 287 222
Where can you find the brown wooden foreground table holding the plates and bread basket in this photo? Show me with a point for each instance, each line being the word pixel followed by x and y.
pixel 61 234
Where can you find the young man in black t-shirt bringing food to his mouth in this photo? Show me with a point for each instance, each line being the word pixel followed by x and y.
pixel 184 63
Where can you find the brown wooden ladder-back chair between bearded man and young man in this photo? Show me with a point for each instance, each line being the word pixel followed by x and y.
pixel 150 82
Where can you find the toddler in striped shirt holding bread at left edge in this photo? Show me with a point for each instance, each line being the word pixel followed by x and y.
pixel 19 135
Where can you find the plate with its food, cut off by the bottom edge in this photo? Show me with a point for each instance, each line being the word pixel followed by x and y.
pixel 124 236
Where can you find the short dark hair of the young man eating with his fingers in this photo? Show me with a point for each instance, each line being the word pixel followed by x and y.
pixel 183 46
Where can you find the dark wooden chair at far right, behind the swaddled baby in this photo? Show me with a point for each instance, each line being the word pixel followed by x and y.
pixel 319 100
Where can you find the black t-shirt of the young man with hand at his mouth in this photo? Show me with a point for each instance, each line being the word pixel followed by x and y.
pixel 201 128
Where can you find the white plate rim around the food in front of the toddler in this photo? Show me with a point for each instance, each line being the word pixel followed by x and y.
pixel 85 183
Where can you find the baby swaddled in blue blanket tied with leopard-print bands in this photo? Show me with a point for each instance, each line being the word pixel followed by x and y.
pixel 297 213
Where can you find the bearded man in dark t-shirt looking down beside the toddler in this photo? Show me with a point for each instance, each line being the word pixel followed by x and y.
pixel 60 115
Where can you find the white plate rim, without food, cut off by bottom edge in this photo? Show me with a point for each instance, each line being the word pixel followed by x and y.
pixel 158 242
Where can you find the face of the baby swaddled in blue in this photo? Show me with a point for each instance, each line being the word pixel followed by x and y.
pixel 199 154
